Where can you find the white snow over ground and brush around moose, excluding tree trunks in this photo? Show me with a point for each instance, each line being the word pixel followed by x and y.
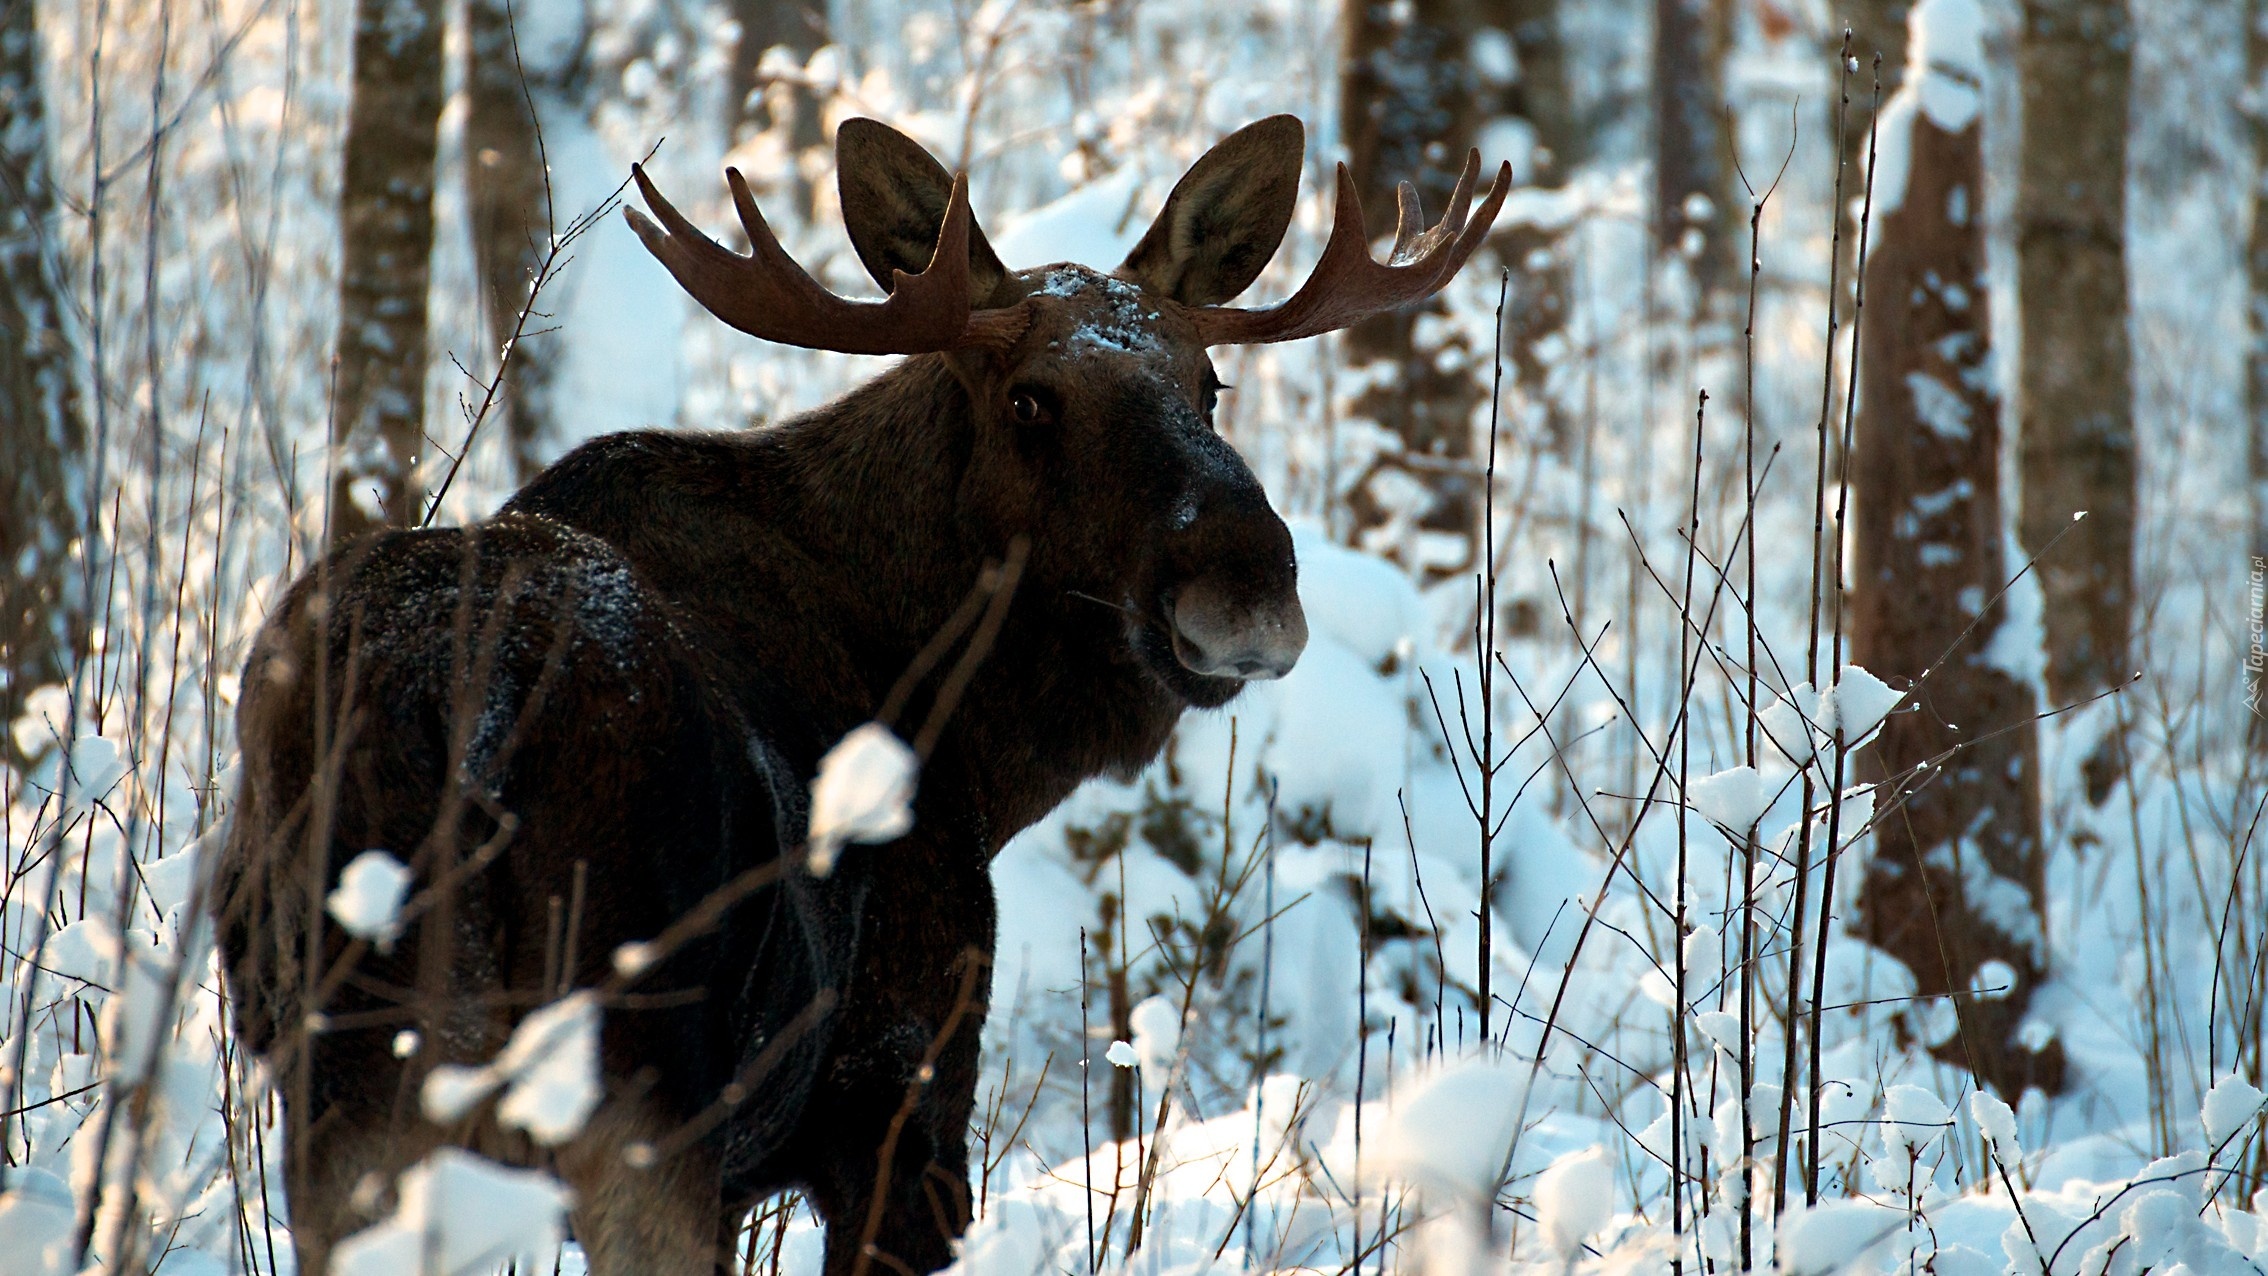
pixel 1287 905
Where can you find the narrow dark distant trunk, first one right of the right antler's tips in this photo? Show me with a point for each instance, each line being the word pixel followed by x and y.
pixel 1693 146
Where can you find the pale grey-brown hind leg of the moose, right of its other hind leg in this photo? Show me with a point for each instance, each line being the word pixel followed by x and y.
pixel 636 1211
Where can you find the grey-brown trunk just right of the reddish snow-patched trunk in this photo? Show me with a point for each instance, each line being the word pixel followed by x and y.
pixel 2076 377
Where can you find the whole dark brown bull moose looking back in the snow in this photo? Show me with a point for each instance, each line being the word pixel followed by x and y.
pixel 593 720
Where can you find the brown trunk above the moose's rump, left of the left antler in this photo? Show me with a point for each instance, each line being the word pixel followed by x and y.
pixel 387 219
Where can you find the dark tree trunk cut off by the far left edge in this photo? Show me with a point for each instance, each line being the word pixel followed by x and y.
pixel 40 418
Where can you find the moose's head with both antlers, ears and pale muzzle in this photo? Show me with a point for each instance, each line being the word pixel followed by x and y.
pixel 1090 393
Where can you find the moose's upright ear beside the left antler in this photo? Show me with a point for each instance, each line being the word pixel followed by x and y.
pixel 895 205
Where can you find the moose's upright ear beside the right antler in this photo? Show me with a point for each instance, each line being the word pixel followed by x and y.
pixel 1224 219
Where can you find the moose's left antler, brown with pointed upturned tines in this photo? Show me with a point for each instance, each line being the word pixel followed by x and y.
pixel 772 298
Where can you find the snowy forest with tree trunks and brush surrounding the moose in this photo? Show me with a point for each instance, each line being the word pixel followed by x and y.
pixel 1702 835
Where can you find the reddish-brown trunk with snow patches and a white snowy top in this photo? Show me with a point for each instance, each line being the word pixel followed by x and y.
pixel 1956 885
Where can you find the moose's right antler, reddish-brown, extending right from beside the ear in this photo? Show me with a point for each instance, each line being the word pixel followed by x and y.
pixel 1348 287
